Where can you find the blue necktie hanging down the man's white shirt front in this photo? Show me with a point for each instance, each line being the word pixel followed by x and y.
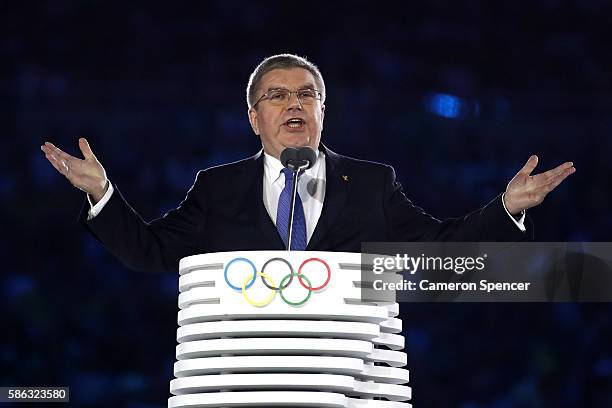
pixel 298 235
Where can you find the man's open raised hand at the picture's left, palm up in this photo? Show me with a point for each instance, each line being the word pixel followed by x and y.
pixel 87 175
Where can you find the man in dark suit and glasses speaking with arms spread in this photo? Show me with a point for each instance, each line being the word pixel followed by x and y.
pixel 342 201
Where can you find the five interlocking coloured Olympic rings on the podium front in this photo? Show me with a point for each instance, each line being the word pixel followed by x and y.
pixel 270 284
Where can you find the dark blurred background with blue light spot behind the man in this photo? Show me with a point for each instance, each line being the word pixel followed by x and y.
pixel 455 95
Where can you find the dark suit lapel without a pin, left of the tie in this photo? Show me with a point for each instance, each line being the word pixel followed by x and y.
pixel 258 210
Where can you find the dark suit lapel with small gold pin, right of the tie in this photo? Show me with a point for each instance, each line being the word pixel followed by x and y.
pixel 337 186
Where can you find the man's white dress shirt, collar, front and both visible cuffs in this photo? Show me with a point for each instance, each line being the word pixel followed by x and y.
pixel 311 187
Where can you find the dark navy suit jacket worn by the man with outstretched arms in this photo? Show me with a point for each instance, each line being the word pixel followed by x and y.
pixel 224 211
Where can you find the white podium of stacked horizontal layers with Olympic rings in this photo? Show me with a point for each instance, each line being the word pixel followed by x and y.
pixel 292 329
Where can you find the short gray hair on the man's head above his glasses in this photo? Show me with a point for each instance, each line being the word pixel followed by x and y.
pixel 282 61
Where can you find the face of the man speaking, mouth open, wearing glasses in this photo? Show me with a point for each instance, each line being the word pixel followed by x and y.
pixel 269 121
